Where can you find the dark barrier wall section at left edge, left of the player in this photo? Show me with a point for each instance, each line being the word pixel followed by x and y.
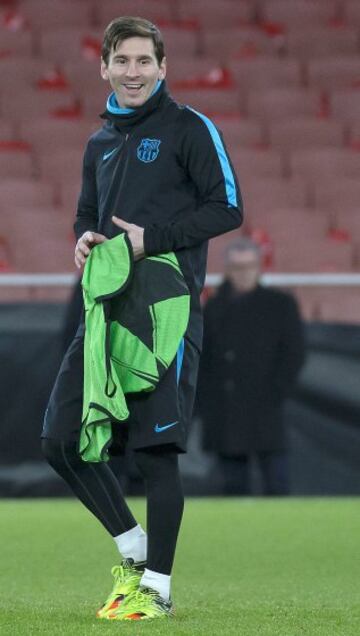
pixel 30 353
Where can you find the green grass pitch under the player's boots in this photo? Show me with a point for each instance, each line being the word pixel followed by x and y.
pixel 267 567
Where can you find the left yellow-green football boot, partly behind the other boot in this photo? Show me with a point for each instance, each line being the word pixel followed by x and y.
pixel 127 579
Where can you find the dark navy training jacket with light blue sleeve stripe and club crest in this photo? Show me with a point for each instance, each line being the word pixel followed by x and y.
pixel 163 167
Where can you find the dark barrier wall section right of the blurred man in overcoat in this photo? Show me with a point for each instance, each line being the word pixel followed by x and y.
pixel 324 419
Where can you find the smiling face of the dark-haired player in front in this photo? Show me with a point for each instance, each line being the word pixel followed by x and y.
pixel 133 71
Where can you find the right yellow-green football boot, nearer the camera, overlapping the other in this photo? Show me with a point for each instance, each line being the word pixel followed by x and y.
pixel 142 604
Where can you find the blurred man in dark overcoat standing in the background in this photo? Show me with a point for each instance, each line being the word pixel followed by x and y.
pixel 252 353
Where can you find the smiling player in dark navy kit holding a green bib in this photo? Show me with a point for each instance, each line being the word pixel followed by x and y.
pixel 159 172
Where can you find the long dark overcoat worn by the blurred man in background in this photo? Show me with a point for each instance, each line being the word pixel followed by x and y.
pixel 253 350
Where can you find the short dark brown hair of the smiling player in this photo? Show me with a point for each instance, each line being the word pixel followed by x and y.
pixel 126 27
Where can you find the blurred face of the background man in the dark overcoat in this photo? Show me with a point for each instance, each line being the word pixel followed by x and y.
pixel 243 269
